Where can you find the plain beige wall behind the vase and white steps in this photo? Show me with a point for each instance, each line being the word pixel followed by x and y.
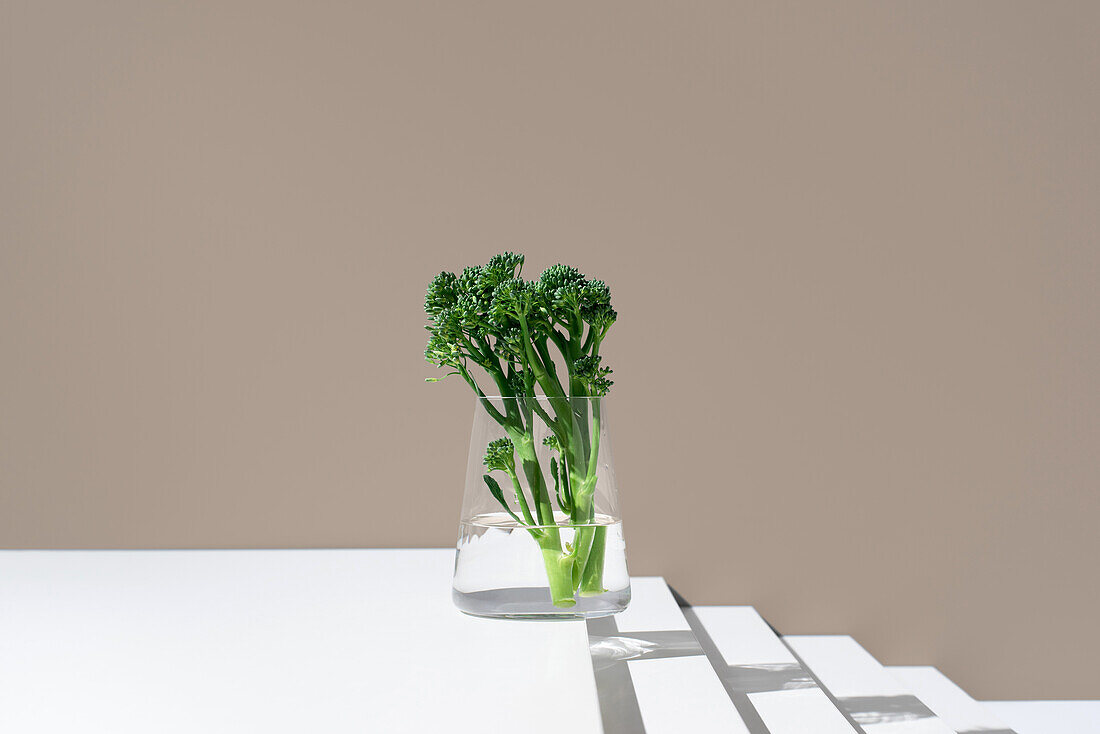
pixel 854 248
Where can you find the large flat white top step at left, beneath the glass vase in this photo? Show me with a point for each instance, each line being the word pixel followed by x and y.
pixel 273 641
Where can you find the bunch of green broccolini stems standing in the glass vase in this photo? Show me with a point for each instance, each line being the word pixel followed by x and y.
pixel 490 317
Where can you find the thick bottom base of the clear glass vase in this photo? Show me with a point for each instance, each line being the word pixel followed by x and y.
pixel 535 604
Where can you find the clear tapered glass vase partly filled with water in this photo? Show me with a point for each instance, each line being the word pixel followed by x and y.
pixel 541 534
